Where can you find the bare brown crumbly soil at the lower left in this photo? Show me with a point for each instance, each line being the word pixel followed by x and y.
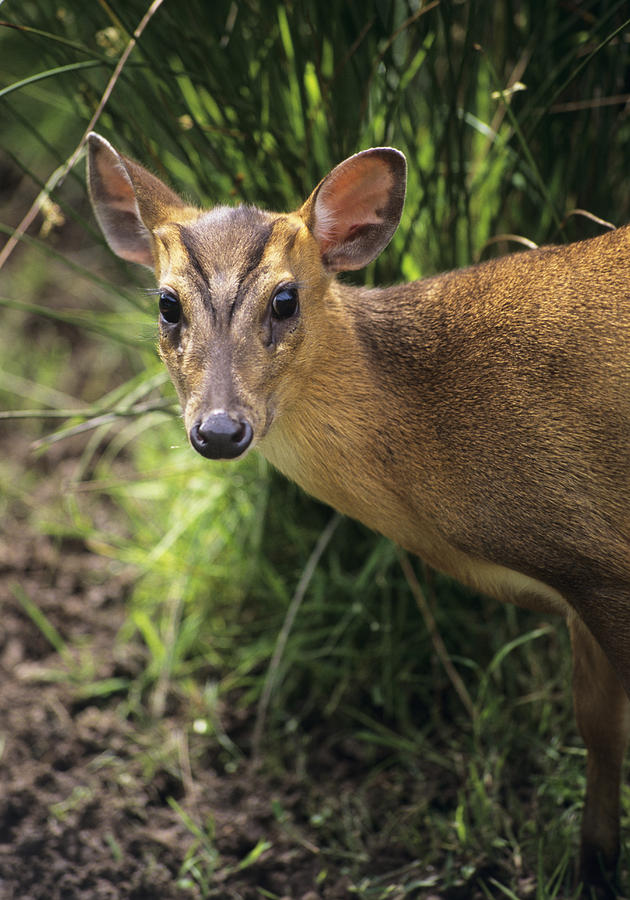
pixel 80 817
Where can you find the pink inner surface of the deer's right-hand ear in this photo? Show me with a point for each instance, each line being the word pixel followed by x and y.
pixel 351 199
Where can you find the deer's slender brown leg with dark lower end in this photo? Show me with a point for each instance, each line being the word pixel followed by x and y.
pixel 602 710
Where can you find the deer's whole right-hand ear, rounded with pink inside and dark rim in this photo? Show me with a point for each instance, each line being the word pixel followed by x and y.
pixel 354 212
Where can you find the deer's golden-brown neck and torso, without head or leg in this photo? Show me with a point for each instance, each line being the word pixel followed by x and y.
pixel 499 454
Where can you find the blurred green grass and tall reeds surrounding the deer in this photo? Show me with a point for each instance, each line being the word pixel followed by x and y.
pixel 512 114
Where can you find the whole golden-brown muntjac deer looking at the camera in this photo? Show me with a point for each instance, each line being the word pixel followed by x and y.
pixel 480 419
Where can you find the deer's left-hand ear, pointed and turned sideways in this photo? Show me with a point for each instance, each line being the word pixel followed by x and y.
pixel 129 202
